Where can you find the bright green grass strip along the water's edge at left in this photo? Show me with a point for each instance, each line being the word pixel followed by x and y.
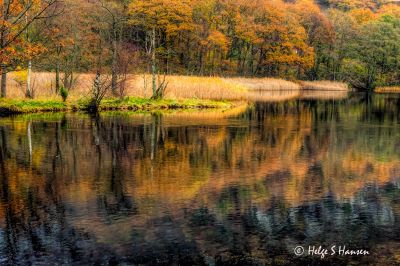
pixel 15 106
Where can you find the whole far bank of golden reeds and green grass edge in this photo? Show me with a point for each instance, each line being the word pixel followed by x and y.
pixel 183 92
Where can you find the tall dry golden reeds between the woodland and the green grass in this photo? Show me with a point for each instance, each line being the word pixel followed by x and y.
pixel 179 87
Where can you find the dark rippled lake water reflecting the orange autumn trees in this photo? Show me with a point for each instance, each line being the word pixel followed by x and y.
pixel 241 187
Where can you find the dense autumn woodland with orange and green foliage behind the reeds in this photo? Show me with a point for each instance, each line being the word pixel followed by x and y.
pixel 357 41
